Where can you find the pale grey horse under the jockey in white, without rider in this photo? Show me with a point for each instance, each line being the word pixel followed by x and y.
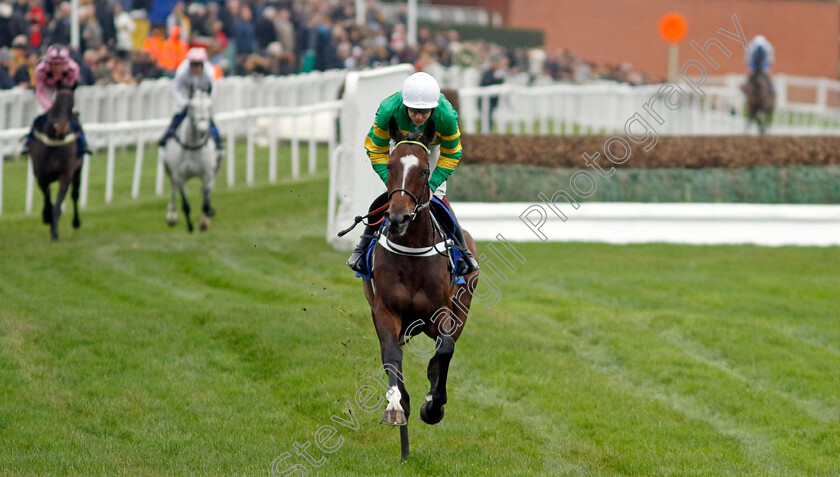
pixel 191 153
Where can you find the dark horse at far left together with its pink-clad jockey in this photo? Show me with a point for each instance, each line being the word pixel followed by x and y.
pixel 56 143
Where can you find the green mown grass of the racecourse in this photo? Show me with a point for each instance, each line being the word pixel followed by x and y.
pixel 129 348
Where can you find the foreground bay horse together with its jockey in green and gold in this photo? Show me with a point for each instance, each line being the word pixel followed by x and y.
pixel 416 261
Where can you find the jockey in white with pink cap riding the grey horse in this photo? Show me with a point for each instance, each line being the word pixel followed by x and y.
pixel 195 72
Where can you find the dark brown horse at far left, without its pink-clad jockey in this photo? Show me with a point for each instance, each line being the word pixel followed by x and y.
pixel 54 158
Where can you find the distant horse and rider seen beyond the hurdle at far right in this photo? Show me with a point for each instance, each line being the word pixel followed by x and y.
pixel 761 96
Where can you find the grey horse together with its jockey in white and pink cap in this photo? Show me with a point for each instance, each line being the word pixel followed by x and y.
pixel 191 146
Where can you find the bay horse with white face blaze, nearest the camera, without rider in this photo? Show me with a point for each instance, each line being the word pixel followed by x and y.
pixel 412 291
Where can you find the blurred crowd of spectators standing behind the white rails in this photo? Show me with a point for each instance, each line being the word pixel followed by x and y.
pixel 121 41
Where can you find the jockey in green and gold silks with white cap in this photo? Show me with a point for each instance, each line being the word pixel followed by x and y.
pixel 419 100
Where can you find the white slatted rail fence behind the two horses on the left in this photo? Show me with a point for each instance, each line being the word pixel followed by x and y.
pixel 313 124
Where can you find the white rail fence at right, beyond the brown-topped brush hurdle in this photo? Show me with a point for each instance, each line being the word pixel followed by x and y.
pixel 604 108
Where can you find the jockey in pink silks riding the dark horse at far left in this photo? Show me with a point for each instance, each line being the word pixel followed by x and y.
pixel 56 71
